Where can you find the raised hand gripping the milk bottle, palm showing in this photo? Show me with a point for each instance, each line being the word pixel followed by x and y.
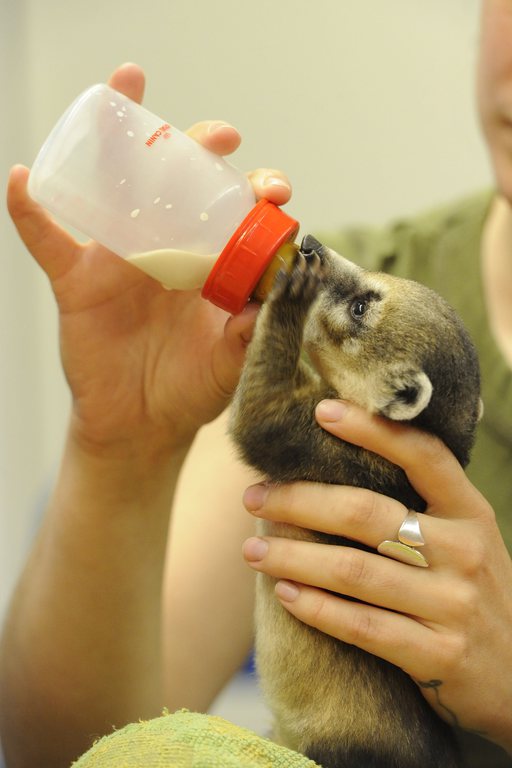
pixel 121 333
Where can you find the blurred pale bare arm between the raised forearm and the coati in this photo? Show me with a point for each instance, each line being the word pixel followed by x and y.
pixel 208 622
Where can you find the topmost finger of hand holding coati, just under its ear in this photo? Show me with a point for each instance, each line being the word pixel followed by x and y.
pixel 431 468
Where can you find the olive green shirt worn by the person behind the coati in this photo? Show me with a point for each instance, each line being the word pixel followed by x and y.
pixel 442 250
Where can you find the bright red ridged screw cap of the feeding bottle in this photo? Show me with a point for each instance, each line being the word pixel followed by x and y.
pixel 247 255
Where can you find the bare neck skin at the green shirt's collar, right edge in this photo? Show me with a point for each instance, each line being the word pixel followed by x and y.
pixel 497 273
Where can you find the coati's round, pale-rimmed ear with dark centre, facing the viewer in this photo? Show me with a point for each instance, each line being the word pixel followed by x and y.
pixel 405 394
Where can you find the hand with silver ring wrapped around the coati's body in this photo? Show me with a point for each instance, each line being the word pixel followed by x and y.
pixel 448 626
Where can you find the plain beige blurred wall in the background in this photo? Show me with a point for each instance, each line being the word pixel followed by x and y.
pixel 367 104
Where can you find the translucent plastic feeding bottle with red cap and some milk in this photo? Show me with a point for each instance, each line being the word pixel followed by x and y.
pixel 137 185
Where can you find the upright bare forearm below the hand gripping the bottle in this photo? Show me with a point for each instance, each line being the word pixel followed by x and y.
pixel 81 648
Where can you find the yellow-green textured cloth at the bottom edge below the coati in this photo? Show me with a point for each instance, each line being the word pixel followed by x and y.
pixel 188 740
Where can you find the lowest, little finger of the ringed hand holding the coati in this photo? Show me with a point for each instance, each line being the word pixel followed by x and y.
pixel 394 637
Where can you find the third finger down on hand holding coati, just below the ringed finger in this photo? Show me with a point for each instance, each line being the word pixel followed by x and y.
pixel 364 576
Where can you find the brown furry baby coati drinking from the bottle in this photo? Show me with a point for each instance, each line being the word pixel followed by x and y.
pixel 397 349
